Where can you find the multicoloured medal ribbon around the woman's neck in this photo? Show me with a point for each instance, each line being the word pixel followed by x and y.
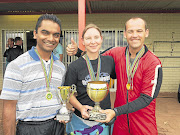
pixel 90 68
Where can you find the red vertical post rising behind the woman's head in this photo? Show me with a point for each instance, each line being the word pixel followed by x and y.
pixel 81 20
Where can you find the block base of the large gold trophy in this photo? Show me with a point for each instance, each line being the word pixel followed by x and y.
pixel 96 116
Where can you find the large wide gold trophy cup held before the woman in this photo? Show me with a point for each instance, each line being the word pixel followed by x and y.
pixel 97 91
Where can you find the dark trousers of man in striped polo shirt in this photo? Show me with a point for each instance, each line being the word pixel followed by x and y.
pixel 48 127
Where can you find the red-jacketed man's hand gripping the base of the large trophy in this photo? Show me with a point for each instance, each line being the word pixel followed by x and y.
pixel 110 114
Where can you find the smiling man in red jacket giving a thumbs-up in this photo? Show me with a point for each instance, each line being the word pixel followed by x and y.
pixel 139 78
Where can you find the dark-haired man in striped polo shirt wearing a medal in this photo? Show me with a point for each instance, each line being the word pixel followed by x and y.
pixel 30 85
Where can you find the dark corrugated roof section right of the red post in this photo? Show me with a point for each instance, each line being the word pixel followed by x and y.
pixel 134 6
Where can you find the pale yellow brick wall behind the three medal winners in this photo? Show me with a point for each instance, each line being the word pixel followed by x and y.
pixel 162 28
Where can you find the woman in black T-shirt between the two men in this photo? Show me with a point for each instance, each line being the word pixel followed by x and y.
pixel 78 73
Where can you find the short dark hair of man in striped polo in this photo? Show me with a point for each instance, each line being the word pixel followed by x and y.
pixel 50 17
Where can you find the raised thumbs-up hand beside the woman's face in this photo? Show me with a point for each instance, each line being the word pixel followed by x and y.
pixel 72 48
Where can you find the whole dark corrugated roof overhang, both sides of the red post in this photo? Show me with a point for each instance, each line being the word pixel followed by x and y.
pixel 95 6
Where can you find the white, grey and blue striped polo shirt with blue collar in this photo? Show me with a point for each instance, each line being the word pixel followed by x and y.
pixel 24 81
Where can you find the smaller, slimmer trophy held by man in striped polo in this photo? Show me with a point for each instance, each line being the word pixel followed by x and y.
pixel 64 93
